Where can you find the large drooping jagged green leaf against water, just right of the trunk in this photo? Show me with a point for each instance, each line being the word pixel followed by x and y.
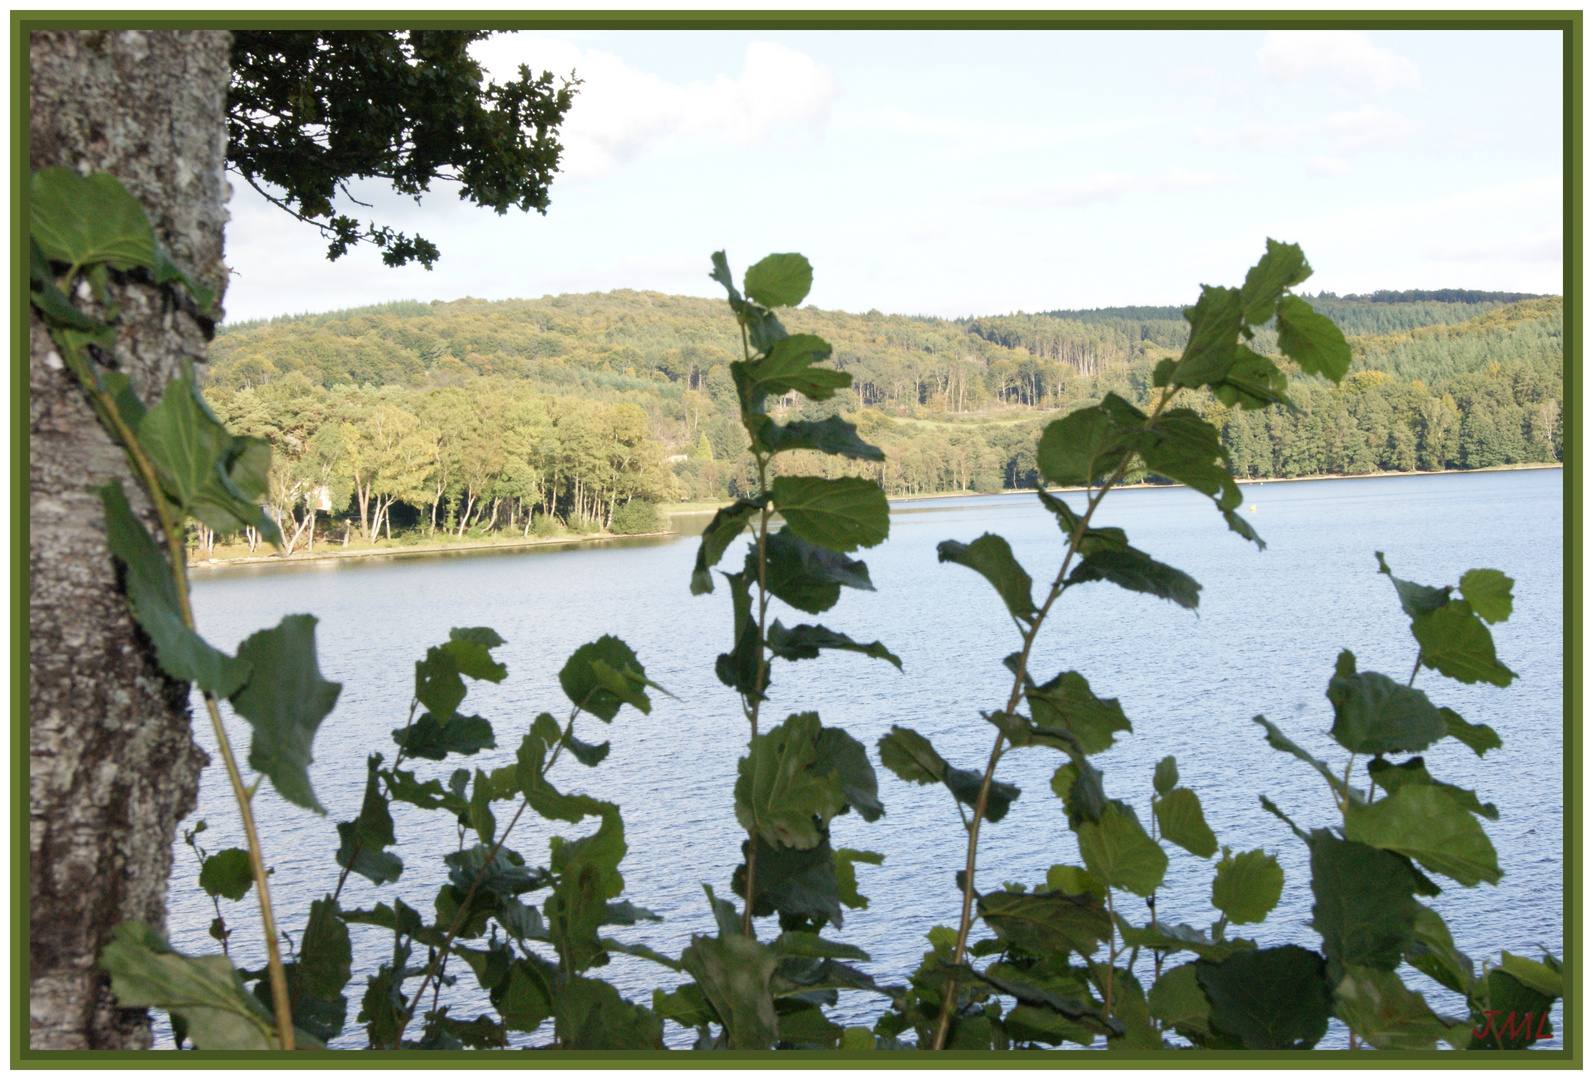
pixel 284 702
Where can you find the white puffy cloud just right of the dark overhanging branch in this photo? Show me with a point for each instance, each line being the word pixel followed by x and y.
pixel 620 112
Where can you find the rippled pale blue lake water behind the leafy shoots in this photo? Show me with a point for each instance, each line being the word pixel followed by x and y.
pixel 1269 628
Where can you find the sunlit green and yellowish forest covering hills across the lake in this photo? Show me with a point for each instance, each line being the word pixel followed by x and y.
pixel 418 421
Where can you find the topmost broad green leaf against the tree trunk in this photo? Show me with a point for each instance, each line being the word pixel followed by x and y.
pixel 79 221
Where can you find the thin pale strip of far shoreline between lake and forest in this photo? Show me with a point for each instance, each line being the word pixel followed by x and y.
pixel 334 550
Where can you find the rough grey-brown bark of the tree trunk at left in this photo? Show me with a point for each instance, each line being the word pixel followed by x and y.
pixel 112 762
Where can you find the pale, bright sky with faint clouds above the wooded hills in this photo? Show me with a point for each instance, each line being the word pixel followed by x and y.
pixel 987 173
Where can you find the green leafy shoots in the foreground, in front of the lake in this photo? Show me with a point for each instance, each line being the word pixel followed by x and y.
pixel 1065 966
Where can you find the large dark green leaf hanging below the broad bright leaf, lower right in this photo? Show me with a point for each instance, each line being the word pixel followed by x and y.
pixel 1366 907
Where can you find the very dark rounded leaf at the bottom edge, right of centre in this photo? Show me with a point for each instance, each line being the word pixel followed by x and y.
pixel 1270 1000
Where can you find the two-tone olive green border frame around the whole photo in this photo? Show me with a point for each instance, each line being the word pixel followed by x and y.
pixel 1567 22
